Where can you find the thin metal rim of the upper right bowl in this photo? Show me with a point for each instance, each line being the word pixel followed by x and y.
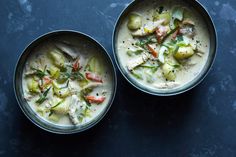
pixel 119 19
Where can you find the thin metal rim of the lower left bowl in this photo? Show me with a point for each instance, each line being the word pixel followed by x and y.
pixel 106 109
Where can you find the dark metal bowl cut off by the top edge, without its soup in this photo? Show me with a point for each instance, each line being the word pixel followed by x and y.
pixel 212 53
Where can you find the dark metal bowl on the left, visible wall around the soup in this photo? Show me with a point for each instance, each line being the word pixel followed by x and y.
pixel 28 111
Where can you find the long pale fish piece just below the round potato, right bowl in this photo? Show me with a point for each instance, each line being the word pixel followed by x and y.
pixel 148 28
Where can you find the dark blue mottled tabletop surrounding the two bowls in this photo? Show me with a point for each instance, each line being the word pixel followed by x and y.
pixel 199 123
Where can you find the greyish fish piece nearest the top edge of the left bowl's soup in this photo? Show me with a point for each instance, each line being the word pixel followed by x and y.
pixel 67 49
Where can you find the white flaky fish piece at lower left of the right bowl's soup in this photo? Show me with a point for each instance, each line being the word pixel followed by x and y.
pixel 138 61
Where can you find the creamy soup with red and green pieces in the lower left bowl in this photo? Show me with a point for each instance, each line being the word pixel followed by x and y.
pixel 67 83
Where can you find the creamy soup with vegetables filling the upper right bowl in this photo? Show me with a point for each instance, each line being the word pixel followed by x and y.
pixel 162 45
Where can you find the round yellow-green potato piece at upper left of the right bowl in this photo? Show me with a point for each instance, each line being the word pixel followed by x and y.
pixel 135 21
